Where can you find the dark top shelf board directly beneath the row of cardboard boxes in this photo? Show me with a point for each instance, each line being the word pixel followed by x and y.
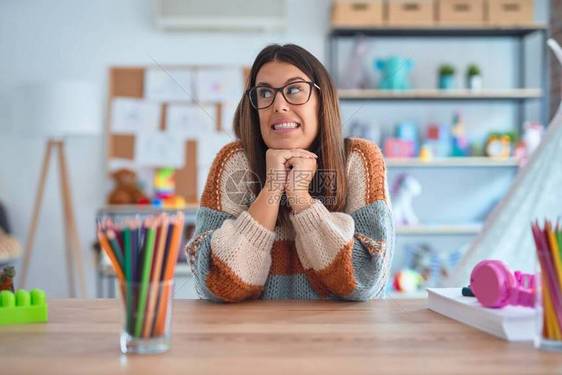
pixel 432 31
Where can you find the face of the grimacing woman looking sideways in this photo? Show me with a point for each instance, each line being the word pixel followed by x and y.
pixel 305 116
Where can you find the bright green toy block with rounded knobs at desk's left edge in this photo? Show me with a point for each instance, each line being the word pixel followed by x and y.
pixel 23 307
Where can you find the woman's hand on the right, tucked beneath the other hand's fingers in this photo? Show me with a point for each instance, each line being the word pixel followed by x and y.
pixel 298 182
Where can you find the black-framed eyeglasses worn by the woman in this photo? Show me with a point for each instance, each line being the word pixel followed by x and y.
pixel 296 93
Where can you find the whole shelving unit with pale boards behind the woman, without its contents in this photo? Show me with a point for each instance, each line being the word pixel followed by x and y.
pixel 518 95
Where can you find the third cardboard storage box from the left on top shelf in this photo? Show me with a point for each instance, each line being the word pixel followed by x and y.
pixel 460 13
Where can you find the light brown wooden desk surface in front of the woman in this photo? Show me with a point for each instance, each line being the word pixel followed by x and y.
pixel 383 337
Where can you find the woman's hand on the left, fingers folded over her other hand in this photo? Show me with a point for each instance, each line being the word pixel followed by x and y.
pixel 276 166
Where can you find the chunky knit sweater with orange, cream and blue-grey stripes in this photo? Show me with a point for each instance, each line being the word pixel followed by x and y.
pixel 318 255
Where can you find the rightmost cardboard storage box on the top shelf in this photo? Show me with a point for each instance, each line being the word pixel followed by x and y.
pixel 510 12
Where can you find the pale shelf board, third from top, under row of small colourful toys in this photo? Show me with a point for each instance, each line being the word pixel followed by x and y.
pixel 452 162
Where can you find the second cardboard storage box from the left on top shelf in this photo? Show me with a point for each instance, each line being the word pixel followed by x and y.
pixel 411 13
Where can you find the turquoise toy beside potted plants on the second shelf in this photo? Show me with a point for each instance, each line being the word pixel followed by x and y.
pixel 394 73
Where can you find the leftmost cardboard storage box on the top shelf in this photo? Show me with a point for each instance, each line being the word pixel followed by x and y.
pixel 357 13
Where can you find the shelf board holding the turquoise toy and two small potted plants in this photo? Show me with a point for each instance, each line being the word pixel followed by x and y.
pixel 435 94
